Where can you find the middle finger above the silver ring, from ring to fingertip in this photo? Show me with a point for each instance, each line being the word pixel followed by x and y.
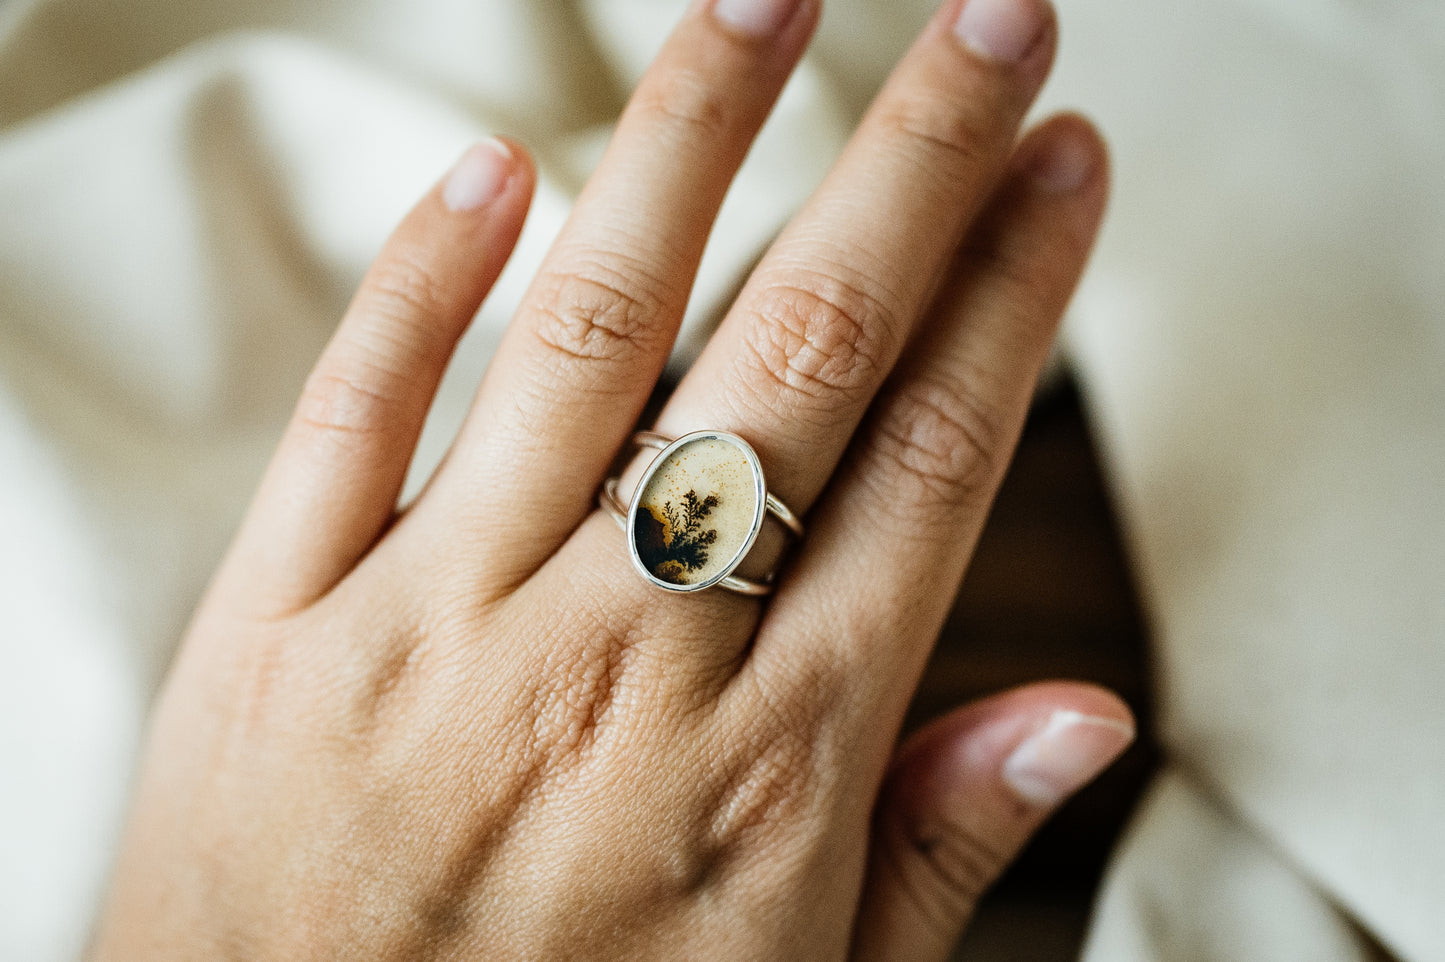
pixel 798 360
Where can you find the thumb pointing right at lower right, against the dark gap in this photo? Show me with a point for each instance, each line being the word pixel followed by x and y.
pixel 963 798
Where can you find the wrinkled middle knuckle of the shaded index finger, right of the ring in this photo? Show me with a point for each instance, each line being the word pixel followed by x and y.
pixel 943 447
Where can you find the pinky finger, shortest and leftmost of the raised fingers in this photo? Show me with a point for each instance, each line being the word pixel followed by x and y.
pixel 333 485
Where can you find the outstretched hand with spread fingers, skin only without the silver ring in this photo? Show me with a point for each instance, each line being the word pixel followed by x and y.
pixel 472 730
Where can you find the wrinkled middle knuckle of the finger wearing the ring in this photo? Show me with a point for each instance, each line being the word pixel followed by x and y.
pixel 821 336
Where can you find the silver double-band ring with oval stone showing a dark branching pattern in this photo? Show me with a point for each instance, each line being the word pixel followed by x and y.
pixel 697 512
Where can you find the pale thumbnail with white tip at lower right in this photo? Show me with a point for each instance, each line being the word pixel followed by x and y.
pixel 1061 758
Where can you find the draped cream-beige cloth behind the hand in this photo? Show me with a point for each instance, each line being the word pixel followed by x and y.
pixel 189 193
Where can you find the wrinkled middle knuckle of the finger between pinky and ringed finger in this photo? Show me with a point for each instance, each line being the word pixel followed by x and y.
pixel 598 320
